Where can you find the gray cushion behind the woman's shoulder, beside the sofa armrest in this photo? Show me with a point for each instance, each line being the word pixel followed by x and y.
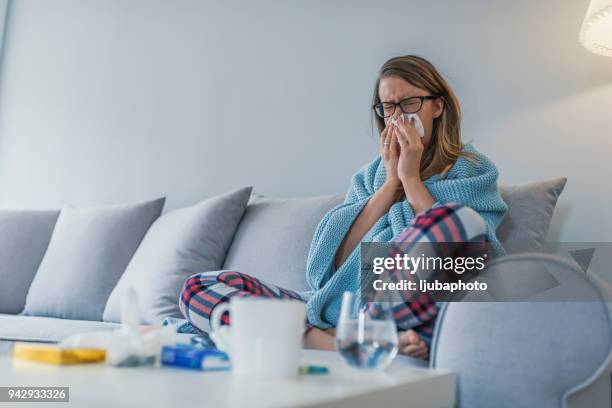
pixel 530 208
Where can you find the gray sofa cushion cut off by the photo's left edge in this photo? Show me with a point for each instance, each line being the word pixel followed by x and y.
pixel 24 237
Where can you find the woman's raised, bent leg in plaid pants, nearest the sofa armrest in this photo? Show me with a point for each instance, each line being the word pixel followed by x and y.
pixel 445 223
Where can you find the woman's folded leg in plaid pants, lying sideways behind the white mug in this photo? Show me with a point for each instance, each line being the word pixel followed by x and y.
pixel 202 292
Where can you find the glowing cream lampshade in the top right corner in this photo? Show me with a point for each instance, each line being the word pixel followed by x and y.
pixel 596 30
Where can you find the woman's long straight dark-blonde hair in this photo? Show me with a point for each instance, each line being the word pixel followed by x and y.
pixel 445 146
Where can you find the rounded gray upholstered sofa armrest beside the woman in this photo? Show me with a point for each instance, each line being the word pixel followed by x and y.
pixel 525 354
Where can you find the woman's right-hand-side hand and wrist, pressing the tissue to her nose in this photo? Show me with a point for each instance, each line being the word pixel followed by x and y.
pixel 411 151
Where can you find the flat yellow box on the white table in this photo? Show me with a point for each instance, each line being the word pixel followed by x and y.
pixel 54 354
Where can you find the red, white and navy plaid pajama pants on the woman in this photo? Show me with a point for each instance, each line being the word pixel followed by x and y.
pixel 443 223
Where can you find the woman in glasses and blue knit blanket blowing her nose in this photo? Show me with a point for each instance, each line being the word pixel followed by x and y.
pixel 417 189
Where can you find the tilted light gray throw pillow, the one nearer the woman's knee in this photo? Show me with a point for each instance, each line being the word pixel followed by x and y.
pixel 179 244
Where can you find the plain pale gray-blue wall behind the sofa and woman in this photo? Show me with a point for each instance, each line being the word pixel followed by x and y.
pixel 114 100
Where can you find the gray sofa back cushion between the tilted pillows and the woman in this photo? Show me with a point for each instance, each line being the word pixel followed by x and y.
pixel 274 237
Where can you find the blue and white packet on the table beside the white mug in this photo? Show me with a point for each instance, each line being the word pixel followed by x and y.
pixel 197 358
